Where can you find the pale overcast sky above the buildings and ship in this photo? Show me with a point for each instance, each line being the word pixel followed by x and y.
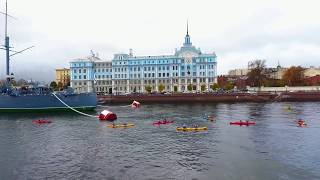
pixel 238 31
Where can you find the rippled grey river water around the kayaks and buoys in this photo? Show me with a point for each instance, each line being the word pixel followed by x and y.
pixel 79 147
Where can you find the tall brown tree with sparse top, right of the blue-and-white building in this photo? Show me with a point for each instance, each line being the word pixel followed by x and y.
pixel 257 75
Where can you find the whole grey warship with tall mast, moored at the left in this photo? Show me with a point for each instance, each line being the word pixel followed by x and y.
pixel 37 98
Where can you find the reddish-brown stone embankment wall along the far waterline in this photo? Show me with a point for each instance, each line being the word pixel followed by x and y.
pixel 211 97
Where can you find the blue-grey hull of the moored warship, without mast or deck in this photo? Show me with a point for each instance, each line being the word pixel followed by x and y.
pixel 36 103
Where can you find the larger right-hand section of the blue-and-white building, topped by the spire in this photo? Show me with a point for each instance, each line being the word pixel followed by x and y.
pixel 186 70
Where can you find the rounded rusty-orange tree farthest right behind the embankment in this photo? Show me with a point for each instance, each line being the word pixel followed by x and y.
pixel 293 76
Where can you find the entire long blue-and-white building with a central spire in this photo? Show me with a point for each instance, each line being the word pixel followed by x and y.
pixel 188 69
